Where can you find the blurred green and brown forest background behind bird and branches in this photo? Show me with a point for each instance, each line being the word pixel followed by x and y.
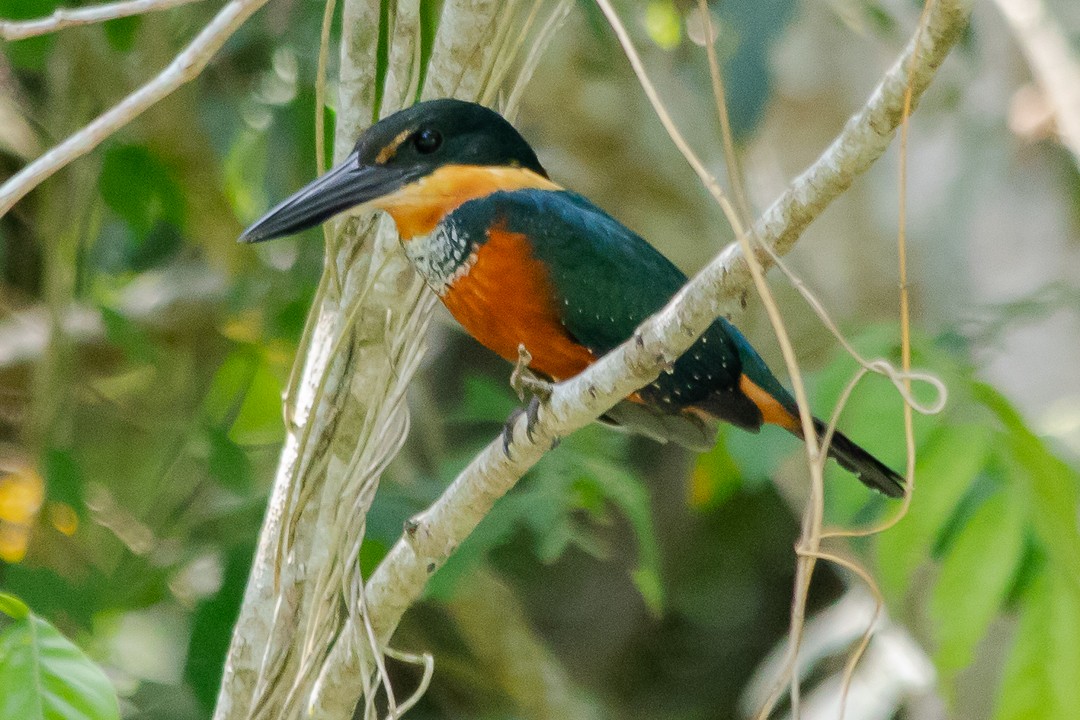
pixel 143 355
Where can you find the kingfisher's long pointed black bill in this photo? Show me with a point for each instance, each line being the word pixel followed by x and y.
pixel 344 187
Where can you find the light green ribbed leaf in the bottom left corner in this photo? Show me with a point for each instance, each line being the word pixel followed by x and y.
pixel 45 677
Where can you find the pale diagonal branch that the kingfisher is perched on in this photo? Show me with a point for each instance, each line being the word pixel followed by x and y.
pixel 434 536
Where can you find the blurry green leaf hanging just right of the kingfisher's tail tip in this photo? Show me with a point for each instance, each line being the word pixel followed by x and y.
pixel 946 469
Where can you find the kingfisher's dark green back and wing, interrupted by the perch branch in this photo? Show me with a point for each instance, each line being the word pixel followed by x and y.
pixel 607 280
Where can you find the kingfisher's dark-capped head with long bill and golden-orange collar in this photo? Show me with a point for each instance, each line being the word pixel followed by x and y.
pixel 418 165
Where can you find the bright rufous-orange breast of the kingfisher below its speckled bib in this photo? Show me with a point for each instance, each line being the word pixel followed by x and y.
pixel 507 300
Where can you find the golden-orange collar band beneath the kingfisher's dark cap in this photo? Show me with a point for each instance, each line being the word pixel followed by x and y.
pixel 420 207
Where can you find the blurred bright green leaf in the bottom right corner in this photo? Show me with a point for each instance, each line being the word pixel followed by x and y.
pixel 1043 674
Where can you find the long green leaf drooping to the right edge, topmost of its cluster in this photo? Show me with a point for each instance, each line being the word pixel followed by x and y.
pixel 1052 487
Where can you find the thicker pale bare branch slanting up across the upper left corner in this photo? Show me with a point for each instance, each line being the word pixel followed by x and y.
pixel 184 69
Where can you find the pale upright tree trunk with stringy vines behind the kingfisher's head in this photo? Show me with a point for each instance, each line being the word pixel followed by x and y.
pixel 345 413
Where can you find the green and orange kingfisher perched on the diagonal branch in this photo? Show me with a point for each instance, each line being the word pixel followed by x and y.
pixel 520 261
